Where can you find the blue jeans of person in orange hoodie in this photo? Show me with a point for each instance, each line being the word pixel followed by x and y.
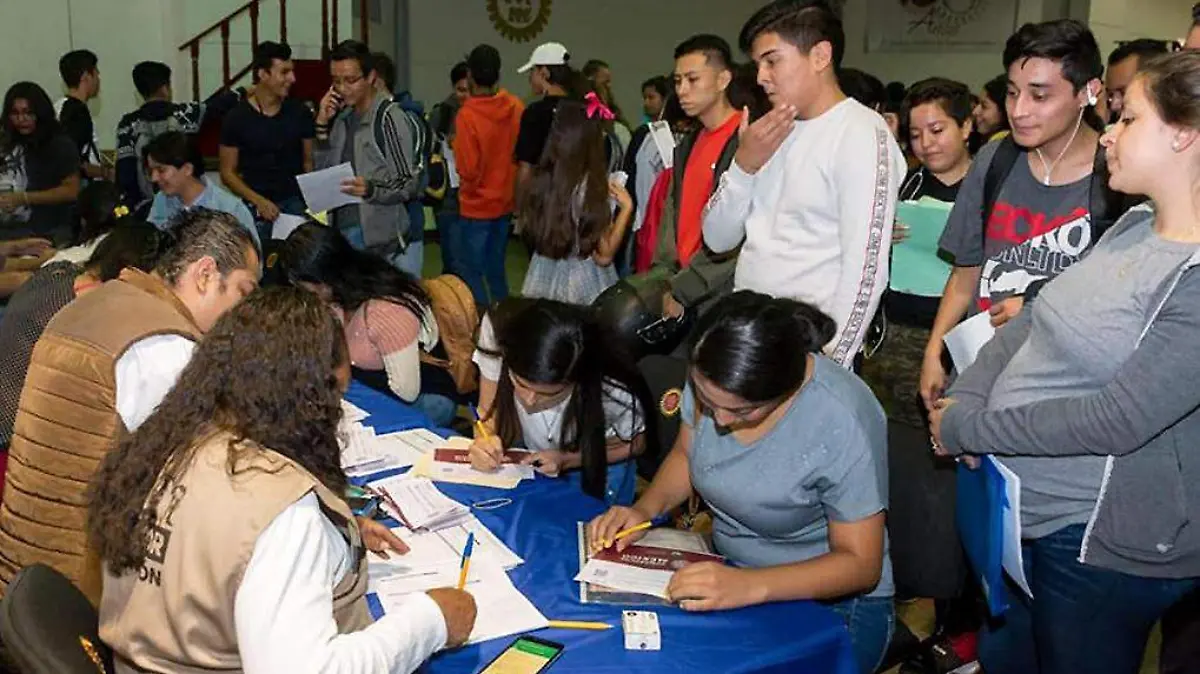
pixel 479 250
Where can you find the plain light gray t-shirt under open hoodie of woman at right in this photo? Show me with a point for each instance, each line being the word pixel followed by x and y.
pixel 1084 328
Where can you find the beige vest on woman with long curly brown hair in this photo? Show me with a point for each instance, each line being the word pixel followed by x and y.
pixel 177 613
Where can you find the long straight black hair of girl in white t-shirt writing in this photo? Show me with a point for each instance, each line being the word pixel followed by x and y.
pixel 549 342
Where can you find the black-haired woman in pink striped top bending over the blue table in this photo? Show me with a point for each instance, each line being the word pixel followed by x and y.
pixel 386 314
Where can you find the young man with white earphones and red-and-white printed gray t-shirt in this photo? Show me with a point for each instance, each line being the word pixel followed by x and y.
pixel 1035 202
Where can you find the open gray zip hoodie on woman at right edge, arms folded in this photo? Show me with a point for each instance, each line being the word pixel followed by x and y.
pixel 1145 422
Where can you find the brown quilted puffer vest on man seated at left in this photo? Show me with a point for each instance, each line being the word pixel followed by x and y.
pixel 68 423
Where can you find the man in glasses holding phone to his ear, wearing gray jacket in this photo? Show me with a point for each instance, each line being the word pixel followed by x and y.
pixel 359 124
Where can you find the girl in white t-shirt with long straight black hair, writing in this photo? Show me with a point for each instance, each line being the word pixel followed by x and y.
pixel 549 384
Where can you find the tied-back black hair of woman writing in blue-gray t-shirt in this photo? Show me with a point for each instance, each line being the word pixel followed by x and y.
pixel 757 347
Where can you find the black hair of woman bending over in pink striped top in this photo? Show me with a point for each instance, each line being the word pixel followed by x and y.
pixel 316 254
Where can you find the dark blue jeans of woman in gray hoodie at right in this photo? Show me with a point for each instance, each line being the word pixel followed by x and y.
pixel 1083 619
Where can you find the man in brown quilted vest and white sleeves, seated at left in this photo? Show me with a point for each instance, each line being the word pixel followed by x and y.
pixel 103 365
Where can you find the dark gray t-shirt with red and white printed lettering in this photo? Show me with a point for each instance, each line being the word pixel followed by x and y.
pixel 1035 232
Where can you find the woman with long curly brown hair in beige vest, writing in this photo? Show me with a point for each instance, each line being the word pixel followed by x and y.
pixel 239 525
